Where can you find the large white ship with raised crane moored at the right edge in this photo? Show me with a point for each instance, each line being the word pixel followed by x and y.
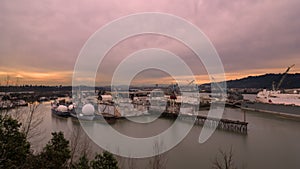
pixel 275 101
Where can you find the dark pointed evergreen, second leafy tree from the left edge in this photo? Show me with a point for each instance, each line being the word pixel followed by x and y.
pixel 56 153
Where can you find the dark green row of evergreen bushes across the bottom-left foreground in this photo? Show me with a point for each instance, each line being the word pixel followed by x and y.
pixel 15 151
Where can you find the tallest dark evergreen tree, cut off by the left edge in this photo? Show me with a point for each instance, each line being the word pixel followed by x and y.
pixel 14 148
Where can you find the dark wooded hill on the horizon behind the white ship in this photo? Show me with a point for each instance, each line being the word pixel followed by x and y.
pixel 265 81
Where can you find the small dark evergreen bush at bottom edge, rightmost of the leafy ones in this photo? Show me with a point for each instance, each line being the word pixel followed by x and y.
pixel 104 161
